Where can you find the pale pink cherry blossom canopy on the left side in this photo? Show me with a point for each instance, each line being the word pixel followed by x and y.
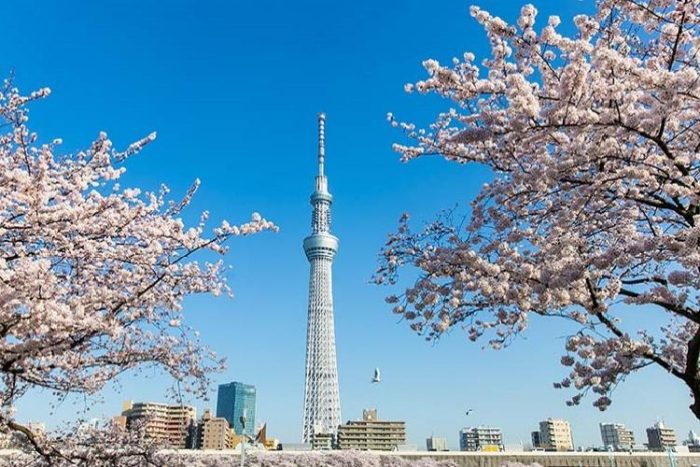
pixel 92 276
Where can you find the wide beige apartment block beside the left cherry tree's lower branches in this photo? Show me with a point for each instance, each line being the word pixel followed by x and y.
pixel 163 422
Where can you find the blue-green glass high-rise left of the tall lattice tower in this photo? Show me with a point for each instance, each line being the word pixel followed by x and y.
pixel 233 400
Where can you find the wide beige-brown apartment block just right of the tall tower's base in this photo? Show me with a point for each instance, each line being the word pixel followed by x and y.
pixel 370 433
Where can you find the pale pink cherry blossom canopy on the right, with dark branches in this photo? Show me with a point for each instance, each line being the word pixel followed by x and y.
pixel 594 144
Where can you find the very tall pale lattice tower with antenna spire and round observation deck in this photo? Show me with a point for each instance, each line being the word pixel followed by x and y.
pixel 321 394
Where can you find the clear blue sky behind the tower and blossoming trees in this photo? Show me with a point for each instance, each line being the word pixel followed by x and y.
pixel 233 88
